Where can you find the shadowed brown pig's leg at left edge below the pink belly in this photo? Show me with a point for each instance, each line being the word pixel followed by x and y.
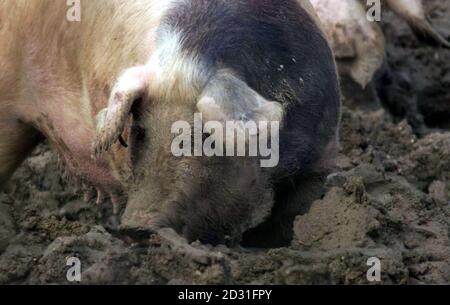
pixel 16 142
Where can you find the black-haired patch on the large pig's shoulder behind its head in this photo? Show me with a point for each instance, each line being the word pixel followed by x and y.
pixel 278 50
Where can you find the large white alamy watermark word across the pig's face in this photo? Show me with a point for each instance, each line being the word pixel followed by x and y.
pixel 231 139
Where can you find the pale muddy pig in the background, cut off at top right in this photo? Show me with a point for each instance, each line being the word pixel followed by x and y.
pixel 359 43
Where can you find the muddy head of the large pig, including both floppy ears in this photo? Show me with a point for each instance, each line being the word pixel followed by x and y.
pixel 211 199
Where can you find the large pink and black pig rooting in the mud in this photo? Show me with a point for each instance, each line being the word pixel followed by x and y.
pixel 106 90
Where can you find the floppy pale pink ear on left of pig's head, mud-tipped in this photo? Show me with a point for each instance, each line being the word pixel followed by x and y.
pixel 111 121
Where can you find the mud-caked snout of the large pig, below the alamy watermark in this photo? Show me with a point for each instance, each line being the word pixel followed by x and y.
pixel 213 209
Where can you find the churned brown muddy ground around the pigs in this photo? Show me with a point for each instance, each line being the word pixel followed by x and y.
pixel 389 199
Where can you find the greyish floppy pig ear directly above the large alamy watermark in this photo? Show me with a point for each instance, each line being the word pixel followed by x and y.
pixel 226 98
